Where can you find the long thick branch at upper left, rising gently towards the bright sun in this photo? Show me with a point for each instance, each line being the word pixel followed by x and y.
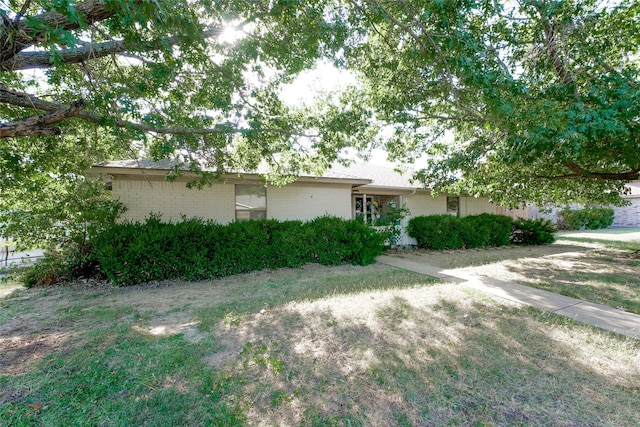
pixel 31 60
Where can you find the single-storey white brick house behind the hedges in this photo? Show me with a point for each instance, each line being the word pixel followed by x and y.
pixel 359 191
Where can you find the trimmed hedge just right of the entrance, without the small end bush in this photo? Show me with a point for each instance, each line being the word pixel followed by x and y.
pixel 451 232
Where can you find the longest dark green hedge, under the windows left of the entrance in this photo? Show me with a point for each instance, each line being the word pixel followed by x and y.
pixel 195 249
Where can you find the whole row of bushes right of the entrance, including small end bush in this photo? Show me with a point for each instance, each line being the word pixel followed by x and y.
pixel 440 232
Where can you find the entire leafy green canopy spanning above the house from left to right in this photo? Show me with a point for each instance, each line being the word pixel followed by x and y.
pixel 527 101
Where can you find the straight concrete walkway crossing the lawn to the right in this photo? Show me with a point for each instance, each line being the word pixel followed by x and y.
pixel 602 316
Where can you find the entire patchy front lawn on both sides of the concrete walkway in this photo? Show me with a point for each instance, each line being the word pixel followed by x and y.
pixel 325 346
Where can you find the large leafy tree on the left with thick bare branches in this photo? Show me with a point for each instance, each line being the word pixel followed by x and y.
pixel 85 81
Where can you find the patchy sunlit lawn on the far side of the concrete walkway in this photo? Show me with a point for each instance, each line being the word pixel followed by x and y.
pixel 604 272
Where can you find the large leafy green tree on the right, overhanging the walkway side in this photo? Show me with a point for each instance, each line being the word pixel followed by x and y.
pixel 523 100
